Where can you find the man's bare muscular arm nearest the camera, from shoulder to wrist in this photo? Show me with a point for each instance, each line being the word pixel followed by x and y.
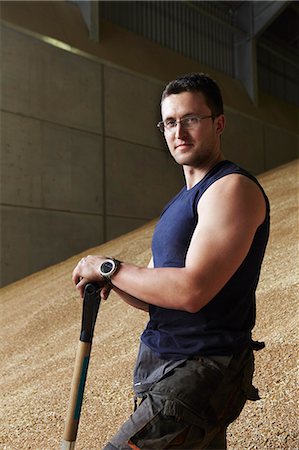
pixel 229 213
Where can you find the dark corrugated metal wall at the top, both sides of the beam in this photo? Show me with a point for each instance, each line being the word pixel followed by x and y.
pixel 204 32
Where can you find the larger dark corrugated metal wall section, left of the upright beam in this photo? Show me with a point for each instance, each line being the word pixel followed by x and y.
pixel 179 26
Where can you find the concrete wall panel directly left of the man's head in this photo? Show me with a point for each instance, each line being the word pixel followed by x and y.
pixel 126 95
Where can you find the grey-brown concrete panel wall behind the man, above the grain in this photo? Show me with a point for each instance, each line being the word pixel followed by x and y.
pixel 82 161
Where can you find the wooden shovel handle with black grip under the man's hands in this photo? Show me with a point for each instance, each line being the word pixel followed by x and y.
pixel 91 303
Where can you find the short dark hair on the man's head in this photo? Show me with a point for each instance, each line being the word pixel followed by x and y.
pixel 197 82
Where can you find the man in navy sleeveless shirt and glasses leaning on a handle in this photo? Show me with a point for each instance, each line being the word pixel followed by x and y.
pixel 194 368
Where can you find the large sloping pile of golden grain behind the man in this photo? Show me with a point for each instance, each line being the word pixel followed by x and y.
pixel 40 322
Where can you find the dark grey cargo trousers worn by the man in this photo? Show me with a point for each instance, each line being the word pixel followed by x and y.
pixel 190 406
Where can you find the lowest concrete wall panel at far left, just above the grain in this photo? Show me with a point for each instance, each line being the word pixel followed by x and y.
pixel 33 238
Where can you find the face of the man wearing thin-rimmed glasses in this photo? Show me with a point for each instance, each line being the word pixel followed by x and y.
pixel 199 144
